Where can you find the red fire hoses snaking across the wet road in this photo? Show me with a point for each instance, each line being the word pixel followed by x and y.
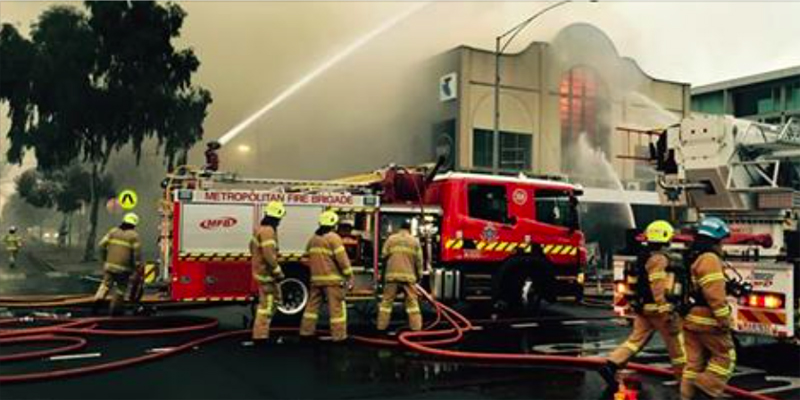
pixel 428 341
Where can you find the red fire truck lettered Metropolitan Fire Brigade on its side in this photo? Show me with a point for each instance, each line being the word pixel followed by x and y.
pixel 511 241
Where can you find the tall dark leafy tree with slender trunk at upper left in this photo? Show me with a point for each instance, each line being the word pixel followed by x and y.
pixel 88 82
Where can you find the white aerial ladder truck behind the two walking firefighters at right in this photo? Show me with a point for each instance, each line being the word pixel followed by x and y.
pixel 748 174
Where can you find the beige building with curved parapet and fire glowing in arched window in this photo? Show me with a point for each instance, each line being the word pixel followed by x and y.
pixel 572 107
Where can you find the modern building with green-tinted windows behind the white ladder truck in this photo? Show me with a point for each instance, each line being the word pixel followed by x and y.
pixel 771 97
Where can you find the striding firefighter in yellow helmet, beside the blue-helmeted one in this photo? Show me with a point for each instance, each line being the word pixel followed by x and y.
pixel 653 312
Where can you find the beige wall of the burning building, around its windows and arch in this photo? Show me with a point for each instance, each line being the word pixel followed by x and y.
pixel 529 101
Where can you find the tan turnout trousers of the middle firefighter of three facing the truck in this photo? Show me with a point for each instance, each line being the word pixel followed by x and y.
pixel 337 309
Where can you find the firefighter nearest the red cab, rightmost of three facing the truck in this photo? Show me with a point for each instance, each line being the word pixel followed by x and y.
pixel 403 255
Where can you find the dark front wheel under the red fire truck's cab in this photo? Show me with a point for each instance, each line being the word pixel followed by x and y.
pixel 524 284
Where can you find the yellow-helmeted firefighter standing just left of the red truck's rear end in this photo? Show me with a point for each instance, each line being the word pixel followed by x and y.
pixel 121 251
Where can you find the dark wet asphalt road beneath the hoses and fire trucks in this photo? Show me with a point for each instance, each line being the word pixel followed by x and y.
pixel 231 369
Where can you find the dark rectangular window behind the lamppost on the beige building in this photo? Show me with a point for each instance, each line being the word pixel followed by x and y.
pixel 515 150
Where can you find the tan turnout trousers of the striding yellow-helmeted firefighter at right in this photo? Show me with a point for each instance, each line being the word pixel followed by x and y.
pixel 644 326
